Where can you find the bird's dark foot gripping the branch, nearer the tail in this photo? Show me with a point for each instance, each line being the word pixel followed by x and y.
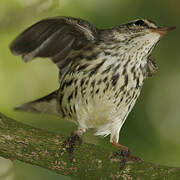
pixel 70 143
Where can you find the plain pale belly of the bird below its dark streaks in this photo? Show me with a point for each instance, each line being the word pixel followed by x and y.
pixel 102 114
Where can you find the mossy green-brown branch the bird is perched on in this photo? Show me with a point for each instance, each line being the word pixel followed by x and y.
pixel 42 148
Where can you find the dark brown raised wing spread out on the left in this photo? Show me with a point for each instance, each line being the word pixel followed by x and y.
pixel 54 38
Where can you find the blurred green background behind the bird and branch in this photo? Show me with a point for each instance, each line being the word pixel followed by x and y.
pixel 152 128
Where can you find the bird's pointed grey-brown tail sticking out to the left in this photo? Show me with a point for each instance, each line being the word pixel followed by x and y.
pixel 46 104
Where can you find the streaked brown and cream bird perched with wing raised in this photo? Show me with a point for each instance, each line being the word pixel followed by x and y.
pixel 101 71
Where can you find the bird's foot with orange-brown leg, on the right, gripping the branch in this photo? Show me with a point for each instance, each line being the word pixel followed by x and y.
pixel 124 152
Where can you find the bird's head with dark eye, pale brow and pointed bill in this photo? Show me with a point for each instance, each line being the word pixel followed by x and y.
pixel 141 34
